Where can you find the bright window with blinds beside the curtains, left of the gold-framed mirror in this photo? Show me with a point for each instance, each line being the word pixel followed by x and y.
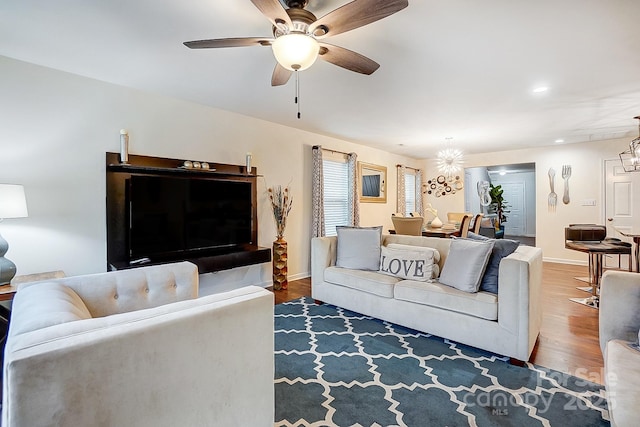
pixel 336 195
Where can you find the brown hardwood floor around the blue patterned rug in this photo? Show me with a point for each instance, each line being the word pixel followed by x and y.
pixel 568 340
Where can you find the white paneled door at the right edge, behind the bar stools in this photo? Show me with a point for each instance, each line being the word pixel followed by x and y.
pixel 622 205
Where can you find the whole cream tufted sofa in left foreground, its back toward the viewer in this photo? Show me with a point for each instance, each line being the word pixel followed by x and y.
pixel 138 348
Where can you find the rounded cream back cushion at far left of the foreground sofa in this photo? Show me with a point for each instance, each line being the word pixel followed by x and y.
pixel 46 304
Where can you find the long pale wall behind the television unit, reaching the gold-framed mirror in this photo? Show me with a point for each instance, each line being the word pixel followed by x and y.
pixel 55 130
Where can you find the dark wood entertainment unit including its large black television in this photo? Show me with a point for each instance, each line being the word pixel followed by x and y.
pixel 160 211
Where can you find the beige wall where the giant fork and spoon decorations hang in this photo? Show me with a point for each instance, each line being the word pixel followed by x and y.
pixel 586 182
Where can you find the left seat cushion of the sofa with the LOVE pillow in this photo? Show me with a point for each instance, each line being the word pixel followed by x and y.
pixel 367 281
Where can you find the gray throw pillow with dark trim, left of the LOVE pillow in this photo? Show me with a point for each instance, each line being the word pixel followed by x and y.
pixel 359 247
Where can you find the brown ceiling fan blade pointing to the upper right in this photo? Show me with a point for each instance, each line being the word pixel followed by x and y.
pixel 355 14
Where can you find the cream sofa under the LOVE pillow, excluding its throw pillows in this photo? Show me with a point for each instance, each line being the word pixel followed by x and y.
pixel 507 323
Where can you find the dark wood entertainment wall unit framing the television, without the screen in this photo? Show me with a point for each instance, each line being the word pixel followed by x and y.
pixel 117 176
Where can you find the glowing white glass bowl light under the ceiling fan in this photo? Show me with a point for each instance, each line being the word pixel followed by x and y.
pixel 295 51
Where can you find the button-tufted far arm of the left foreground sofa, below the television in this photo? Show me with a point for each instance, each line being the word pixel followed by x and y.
pixel 122 291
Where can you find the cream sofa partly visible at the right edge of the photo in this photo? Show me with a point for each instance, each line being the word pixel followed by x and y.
pixel 619 330
